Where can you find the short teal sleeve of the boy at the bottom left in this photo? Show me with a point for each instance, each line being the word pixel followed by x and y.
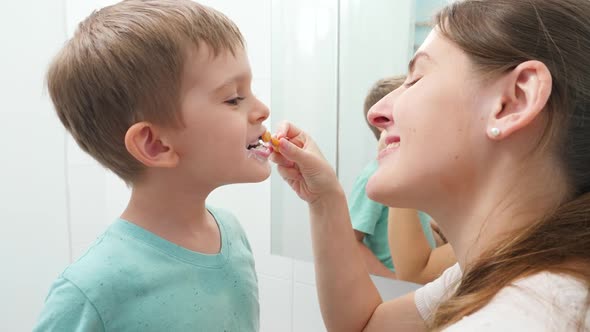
pixel 67 309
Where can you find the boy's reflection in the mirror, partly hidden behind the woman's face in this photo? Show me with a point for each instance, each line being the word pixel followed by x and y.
pixel 369 219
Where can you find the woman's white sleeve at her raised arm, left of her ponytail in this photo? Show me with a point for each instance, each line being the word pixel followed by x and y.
pixel 430 295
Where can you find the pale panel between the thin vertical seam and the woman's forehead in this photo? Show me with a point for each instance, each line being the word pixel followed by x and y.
pixel 367 53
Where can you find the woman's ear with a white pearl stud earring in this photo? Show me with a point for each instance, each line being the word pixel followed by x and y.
pixel 525 93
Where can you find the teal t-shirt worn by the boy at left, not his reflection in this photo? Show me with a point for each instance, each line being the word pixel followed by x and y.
pixel 133 280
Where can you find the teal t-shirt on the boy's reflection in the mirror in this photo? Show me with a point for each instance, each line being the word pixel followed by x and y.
pixel 370 217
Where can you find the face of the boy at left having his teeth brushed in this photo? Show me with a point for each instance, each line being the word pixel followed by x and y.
pixel 222 121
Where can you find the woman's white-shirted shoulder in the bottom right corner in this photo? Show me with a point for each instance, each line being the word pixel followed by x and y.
pixel 541 302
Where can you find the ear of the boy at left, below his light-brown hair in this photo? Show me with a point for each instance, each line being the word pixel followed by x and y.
pixel 144 142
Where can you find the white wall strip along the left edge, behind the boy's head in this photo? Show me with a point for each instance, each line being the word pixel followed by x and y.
pixel 34 243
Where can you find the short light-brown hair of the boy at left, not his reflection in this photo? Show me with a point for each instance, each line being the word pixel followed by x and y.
pixel 124 65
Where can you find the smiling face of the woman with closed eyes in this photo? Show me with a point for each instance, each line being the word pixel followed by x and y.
pixel 433 125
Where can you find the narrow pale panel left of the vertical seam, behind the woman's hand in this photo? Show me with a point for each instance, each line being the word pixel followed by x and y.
pixel 304 90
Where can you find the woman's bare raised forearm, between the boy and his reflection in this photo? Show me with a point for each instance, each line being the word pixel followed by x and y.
pixel 347 295
